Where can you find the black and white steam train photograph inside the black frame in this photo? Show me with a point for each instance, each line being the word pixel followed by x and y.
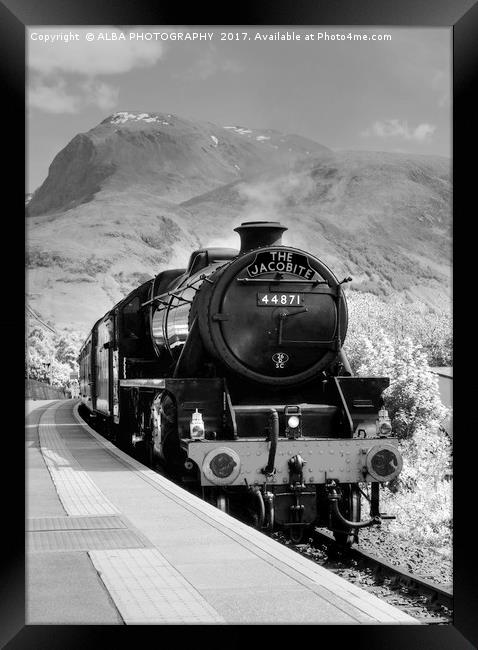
pixel 239 354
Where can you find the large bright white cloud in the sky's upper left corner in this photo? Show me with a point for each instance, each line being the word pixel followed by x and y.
pixel 63 72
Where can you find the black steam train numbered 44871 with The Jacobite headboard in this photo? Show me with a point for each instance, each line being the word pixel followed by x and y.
pixel 231 375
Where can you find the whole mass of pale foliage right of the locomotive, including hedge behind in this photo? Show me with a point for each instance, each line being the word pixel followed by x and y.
pixel 399 343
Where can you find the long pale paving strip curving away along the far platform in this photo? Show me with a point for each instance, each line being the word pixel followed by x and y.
pixel 77 492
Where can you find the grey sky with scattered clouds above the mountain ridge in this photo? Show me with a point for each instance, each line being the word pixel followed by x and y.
pixel 379 94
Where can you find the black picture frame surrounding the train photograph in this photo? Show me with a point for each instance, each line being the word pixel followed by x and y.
pixel 462 17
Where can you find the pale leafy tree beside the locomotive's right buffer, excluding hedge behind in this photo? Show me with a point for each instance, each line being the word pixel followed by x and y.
pixel 419 497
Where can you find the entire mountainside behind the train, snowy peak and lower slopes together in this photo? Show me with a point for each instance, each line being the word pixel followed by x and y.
pixel 140 191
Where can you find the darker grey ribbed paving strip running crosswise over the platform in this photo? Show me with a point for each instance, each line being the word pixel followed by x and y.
pixel 81 540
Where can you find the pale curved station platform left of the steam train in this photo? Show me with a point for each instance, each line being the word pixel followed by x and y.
pixel 110 541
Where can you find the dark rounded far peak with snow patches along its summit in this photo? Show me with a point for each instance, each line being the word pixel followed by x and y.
pixel 174 157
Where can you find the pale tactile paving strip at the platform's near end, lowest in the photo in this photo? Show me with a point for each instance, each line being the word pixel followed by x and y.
pixel 146 588
